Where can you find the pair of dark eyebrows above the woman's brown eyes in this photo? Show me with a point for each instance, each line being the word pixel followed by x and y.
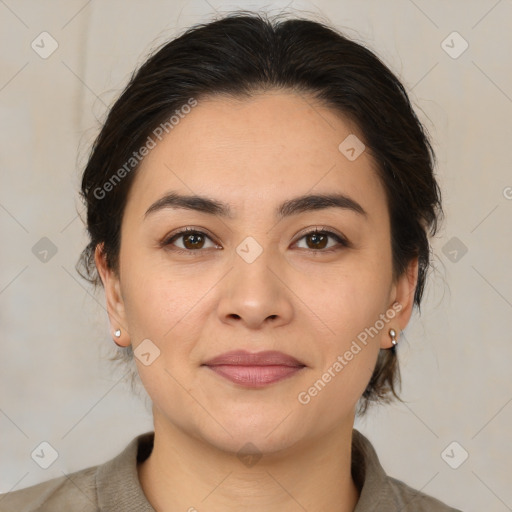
pixel 289 207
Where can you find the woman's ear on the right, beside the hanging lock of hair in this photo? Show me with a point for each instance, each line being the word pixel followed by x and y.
pixel 402 301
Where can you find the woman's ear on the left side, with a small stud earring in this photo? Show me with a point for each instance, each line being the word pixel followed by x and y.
pixel 114 300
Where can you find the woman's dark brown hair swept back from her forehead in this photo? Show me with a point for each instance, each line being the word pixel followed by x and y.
pixel 245 53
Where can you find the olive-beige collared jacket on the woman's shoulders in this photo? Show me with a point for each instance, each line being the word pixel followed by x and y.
pixel 114 486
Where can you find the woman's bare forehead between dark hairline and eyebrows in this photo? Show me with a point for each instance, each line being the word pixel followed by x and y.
pixel 253 151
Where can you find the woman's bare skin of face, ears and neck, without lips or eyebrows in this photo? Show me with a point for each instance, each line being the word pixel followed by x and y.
pixel 254 154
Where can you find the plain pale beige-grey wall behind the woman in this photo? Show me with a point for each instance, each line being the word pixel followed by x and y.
pixel 56 384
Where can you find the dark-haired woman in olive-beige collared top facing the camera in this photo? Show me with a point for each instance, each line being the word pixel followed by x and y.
pixel 259 202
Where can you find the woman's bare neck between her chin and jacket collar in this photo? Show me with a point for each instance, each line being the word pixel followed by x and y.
pixel 186 473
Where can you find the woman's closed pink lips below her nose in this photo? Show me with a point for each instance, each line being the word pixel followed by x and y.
pixel 254 369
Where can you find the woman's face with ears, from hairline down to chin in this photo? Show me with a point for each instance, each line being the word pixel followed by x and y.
pixel 255 280
